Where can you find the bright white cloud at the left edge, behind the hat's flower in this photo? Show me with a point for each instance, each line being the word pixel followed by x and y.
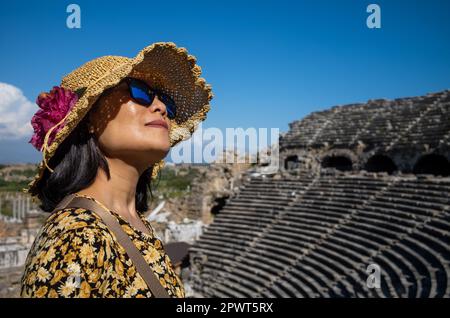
pixel 15 113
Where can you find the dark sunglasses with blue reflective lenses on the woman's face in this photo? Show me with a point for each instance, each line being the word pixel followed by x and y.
pixel 144 95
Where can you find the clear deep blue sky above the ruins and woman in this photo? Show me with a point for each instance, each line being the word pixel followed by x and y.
pixel 269 62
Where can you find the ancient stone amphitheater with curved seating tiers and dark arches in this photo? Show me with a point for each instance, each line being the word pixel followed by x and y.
pixel 358 184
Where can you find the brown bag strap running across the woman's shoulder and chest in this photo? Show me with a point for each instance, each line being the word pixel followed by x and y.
pixel 72 201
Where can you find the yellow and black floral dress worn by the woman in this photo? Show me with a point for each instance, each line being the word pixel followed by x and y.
pixel 75 255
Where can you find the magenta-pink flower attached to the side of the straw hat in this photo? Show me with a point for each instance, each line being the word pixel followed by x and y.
pixel 54 106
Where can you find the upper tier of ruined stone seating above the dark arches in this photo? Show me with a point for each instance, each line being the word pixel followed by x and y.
pixel 403 130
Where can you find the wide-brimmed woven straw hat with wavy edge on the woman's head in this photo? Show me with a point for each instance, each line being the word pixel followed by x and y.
pixel 167 67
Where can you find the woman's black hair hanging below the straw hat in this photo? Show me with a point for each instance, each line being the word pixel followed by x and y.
pixel 75 165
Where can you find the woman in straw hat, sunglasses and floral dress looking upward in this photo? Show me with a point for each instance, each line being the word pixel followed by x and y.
pixel 103 134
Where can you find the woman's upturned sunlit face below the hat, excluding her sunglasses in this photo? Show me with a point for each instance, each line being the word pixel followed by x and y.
pixel 123 128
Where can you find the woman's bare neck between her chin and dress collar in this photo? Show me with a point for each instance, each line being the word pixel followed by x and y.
pixel 119 192
